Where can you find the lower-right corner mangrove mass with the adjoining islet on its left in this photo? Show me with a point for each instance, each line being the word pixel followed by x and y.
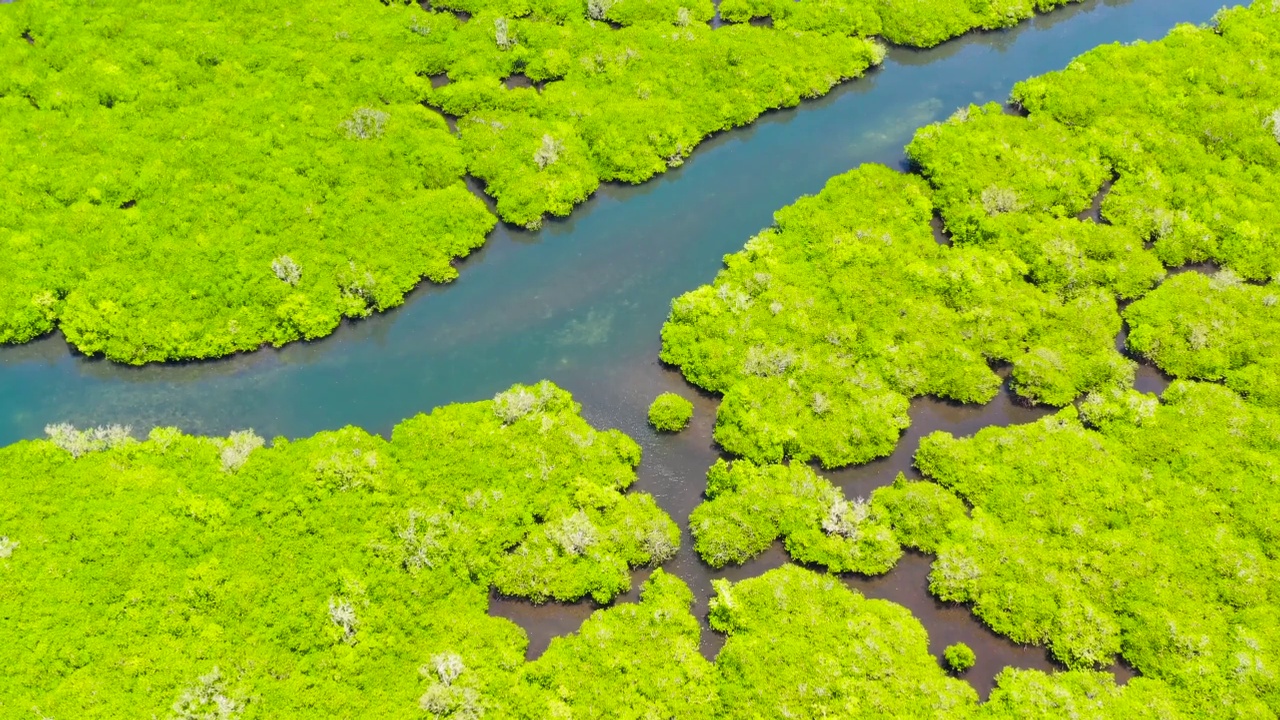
pixel 1133 527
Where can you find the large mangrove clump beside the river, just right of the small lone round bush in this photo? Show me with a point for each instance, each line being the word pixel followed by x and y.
pixel 824 327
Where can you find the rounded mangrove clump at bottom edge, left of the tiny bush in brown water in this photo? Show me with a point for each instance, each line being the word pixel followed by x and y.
pixel 802 645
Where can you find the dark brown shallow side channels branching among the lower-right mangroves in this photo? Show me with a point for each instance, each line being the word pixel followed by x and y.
pixel 674 472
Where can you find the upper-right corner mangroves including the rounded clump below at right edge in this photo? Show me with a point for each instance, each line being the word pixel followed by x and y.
pixel 1190 130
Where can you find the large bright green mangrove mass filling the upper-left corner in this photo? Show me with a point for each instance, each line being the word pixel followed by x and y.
pixel 191 181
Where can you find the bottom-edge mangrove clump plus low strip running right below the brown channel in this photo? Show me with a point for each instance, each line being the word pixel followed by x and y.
pixel 802 645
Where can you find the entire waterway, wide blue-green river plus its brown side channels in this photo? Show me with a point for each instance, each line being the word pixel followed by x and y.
pixel 582 304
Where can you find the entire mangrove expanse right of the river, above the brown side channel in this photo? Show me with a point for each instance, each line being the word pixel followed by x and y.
pixel 822 327
